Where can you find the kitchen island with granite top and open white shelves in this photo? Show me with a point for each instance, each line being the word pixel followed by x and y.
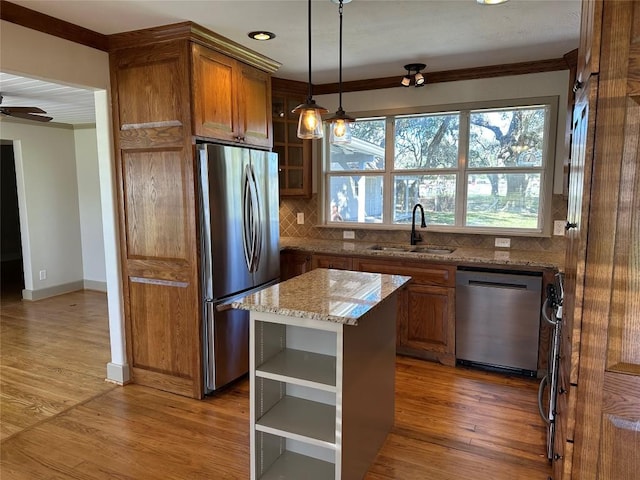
pixel 322 373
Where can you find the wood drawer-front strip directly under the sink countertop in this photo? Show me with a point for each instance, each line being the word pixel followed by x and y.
pixel 422 273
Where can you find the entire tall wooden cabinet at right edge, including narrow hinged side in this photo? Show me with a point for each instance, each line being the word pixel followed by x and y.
pixel 599 410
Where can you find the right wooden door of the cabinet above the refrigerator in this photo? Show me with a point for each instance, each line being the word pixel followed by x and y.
pixel 254 105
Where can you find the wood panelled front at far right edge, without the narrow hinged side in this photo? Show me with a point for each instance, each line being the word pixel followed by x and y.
pixel 607 440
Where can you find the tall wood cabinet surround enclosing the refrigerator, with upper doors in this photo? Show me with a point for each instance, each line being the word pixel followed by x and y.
pixel 171 86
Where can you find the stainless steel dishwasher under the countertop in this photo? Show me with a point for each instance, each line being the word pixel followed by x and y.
pixel 498 319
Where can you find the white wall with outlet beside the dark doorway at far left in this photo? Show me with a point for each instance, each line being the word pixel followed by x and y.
pixel 49 212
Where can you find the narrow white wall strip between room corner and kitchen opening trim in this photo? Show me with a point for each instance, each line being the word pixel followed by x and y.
pixel 91 232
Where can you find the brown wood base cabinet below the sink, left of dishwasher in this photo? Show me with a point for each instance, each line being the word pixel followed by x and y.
pixel 426 307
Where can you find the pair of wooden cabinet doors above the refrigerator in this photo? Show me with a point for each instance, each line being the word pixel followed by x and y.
pixel 231 100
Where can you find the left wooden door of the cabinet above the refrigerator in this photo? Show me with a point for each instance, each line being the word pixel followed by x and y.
pixel 214 92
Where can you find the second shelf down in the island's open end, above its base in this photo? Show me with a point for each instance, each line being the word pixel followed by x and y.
pixel 299 419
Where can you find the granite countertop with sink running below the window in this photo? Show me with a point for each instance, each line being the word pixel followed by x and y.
pixel 460 256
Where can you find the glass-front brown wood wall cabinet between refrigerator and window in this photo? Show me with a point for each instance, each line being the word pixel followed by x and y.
pixel 294 154
